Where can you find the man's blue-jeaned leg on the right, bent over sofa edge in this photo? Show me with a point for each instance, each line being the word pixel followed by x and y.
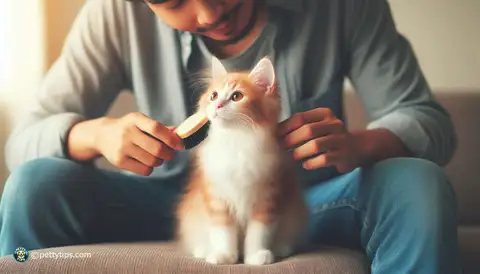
pixel 401 212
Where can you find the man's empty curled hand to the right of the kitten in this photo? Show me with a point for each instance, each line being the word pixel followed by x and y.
pixel 323 138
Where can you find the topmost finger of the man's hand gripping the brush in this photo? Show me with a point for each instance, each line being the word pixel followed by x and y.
pixel 158 131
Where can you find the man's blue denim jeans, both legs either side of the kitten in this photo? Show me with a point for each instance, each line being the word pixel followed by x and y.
pixel 401 212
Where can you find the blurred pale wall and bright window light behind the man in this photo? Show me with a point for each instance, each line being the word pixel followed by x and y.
pixel 444 34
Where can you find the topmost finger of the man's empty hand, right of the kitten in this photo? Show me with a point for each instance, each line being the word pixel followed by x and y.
pixel 302 118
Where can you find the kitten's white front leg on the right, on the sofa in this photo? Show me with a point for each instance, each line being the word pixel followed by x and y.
pixel 258 240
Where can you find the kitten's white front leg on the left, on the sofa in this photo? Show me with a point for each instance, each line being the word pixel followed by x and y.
pixel 223 235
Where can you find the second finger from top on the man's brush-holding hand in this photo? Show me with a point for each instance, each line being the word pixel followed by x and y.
pixel 153 146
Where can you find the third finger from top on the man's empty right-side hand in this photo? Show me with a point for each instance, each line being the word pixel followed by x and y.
pixel 316 146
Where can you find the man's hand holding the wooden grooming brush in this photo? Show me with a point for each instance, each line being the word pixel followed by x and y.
pixel 136 143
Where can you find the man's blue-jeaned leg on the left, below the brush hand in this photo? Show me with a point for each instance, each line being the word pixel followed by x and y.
pixel 61 202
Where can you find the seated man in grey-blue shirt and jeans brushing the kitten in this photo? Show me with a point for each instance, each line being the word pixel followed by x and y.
pixel 381 189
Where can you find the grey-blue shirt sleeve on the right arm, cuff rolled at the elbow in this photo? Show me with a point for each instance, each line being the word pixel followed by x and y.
pixel 386 75
